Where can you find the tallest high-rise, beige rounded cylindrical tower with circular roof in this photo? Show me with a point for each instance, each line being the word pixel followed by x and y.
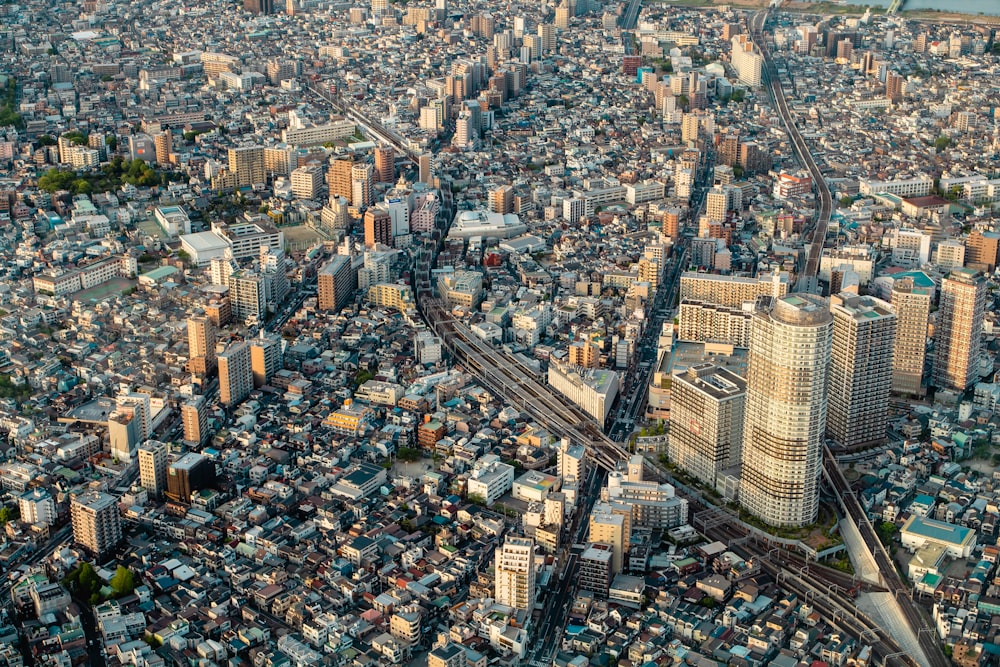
pixel 786 409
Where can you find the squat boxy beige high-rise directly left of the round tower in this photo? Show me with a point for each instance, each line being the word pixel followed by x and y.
pixel 707 405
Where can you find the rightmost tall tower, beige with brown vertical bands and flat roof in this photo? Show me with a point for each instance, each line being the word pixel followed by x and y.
pixel 958 339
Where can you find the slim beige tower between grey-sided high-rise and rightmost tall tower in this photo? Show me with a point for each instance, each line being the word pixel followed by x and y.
pixel 913 308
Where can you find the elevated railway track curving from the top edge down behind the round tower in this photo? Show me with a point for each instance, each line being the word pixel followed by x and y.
pixel 803 153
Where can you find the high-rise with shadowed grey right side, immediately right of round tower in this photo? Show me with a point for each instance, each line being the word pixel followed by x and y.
pixel 860 375
